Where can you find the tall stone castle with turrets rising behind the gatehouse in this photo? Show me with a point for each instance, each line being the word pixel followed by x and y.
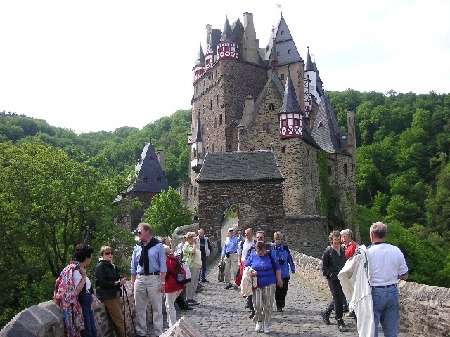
pixel 248 98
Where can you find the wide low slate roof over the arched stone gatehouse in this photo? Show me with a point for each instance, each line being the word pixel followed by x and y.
pixel 239 166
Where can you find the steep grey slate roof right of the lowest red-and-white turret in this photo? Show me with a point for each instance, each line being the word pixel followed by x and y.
pixel 325 129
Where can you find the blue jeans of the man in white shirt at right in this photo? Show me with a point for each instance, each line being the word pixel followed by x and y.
pixel 386 310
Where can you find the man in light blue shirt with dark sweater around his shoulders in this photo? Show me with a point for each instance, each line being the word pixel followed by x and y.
pixel 148 279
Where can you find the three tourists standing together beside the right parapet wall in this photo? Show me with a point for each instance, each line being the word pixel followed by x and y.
pixel 364 279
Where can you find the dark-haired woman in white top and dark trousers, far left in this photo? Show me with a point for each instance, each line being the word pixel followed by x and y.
pixel 83 287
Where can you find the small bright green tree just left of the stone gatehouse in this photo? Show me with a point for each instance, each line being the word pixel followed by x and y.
pixel 167 212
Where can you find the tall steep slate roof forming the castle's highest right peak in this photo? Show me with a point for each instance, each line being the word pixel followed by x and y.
pixel 284 44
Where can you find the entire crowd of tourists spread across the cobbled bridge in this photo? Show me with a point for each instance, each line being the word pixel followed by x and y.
pixel 363 279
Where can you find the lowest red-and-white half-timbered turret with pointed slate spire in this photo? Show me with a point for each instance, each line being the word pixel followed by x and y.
pixel 291 124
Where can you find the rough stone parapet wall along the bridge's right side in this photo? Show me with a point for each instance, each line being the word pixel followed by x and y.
pixel 424 310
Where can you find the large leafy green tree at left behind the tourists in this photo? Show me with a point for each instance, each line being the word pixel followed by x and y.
pixel 48 203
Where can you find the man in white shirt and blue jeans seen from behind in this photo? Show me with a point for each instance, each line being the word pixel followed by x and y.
pixel 386 265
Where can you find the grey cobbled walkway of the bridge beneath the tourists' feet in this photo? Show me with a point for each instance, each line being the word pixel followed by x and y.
pixel 221 312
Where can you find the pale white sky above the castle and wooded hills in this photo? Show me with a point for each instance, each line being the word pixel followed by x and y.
pixel 93 65
